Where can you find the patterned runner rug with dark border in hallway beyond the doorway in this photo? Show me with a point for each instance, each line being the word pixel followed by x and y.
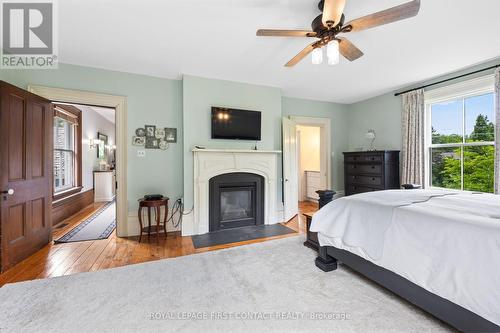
pixel 98 226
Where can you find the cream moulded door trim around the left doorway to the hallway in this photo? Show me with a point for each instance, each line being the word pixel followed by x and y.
pixel 119 103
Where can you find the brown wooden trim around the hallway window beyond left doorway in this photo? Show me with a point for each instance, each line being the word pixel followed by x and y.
pixel 71 114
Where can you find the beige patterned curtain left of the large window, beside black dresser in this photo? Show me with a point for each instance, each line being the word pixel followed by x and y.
pixel 413 138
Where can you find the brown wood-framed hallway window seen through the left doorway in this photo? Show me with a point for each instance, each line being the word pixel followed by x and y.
pixel 67 123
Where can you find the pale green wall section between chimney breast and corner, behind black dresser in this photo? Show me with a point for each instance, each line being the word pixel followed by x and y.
pixel 337 113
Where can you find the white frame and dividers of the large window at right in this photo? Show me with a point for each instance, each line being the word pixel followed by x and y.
pixel 462 90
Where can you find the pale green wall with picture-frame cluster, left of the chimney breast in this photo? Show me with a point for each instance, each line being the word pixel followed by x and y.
pixel 150 100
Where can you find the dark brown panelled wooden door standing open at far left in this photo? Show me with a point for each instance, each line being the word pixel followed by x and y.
pixel 25 174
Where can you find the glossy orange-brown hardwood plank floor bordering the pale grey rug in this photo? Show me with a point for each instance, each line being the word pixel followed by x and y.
pixel 70 258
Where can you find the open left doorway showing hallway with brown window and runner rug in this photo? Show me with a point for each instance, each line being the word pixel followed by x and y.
pixel 84 185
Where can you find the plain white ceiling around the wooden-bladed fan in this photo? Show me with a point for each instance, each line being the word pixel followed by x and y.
pixel 216 39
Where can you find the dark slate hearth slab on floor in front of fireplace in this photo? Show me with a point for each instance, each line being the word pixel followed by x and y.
pixel 240 234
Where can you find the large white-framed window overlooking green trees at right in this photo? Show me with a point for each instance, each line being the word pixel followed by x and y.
pixel 461 137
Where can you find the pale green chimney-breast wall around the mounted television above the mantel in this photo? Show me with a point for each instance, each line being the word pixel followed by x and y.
pixel 200 94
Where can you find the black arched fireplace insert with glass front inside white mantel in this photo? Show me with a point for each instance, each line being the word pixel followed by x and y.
pixel 236 200
